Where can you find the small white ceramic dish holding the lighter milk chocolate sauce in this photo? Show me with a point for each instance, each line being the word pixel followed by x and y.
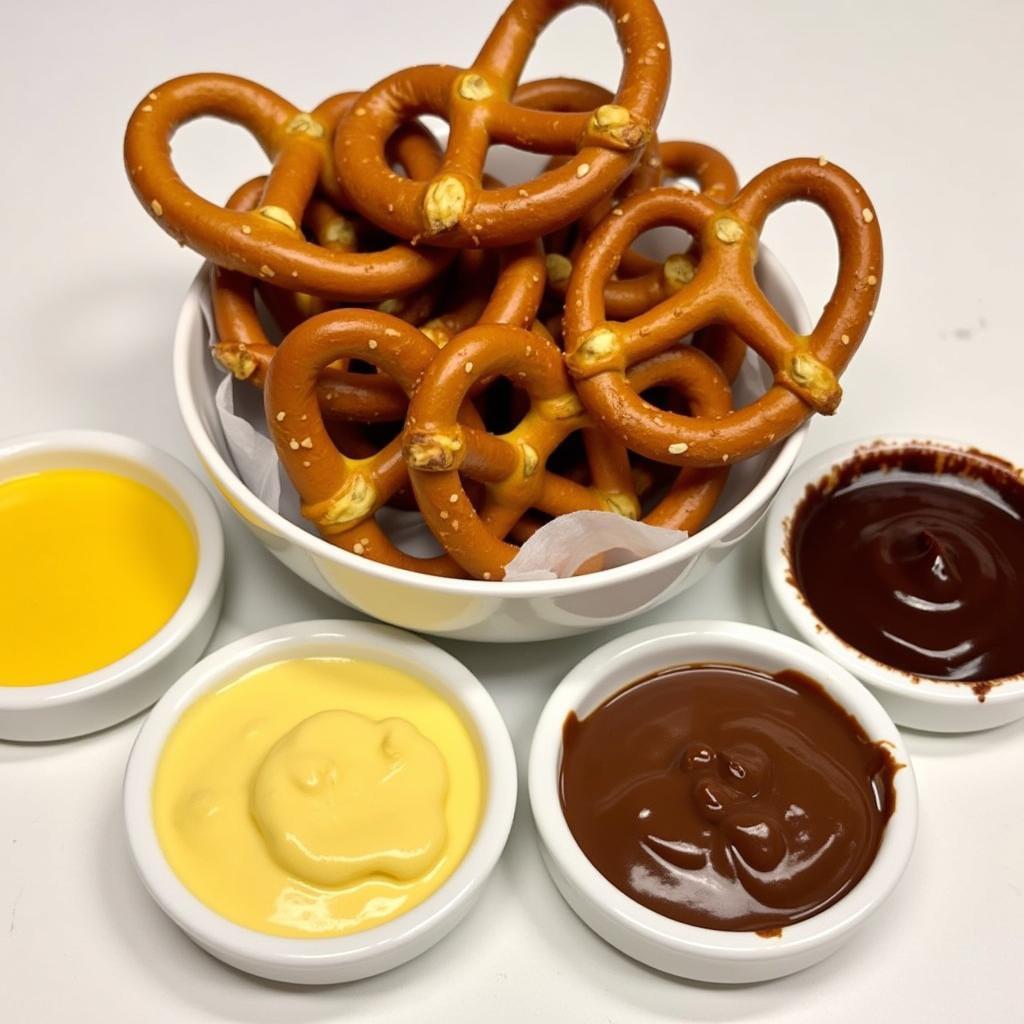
pixel 701 954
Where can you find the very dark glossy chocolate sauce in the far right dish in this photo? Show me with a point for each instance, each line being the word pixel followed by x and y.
pixel 916 558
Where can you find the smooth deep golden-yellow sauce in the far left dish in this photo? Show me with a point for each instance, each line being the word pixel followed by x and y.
pixel 94 565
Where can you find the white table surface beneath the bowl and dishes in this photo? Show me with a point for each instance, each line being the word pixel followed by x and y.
pixel 921 101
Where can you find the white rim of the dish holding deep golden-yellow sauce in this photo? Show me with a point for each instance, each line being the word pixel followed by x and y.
pixel 200 513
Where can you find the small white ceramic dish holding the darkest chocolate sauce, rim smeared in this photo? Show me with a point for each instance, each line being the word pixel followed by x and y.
pixel 913 701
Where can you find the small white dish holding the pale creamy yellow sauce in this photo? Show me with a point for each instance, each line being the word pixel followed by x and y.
pixel 322 962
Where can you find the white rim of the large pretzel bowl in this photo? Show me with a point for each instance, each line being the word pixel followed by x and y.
pixel 777 473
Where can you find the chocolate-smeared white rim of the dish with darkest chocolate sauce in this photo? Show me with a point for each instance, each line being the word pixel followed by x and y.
pixel 802 619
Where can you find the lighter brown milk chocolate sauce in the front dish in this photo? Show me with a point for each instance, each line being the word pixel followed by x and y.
pixel 727 798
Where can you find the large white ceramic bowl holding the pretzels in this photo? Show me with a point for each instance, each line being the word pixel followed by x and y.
pixel 472 610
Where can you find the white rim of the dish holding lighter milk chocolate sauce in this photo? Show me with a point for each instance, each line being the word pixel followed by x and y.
pixel 613 660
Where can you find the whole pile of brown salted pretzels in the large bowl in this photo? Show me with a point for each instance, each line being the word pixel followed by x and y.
pixel 497 356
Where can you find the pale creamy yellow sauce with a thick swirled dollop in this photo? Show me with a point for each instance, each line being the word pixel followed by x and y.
pixel 318 797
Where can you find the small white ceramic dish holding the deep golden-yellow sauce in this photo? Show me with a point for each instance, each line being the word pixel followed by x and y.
pixel 76 707
